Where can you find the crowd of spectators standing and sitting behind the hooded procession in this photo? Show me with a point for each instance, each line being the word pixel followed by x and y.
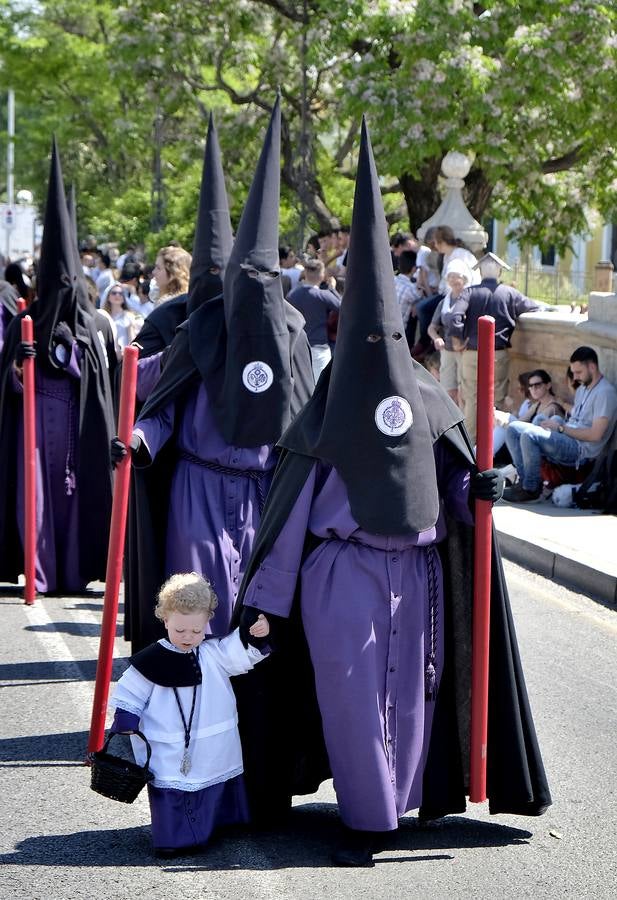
pixel 442 289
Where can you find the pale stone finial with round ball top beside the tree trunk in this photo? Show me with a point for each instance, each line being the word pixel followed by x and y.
pixel 452 210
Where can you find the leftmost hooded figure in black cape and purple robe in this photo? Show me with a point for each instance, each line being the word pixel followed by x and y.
pixel 73 415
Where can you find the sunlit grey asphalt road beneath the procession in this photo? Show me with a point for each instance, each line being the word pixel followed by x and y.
pixel 60 840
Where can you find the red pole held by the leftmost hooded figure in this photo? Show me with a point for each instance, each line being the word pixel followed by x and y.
pixel 27 337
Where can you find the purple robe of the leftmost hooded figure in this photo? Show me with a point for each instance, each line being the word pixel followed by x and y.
pixel 57 526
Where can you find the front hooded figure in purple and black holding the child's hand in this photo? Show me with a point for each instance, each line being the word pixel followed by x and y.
pixel 363 563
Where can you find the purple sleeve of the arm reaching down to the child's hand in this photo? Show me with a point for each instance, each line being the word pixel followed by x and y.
pixel 273 585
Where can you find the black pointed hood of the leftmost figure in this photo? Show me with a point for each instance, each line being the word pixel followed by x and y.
pixel 59 294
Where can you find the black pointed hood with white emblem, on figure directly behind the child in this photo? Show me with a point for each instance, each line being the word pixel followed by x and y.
pixel 253 403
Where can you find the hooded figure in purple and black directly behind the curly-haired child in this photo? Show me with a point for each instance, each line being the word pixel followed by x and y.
pixel 237 372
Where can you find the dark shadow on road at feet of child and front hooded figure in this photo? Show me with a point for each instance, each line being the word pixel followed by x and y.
pixel 306 840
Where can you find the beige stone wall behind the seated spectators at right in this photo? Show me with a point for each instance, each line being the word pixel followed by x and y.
pixel 546 340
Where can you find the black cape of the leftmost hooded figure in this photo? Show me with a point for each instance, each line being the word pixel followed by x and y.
pixel 93 471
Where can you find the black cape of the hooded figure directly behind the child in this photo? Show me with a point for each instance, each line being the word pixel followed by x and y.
pixel 144 568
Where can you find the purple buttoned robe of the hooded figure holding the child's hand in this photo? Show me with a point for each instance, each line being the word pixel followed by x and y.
pixel 372 610
